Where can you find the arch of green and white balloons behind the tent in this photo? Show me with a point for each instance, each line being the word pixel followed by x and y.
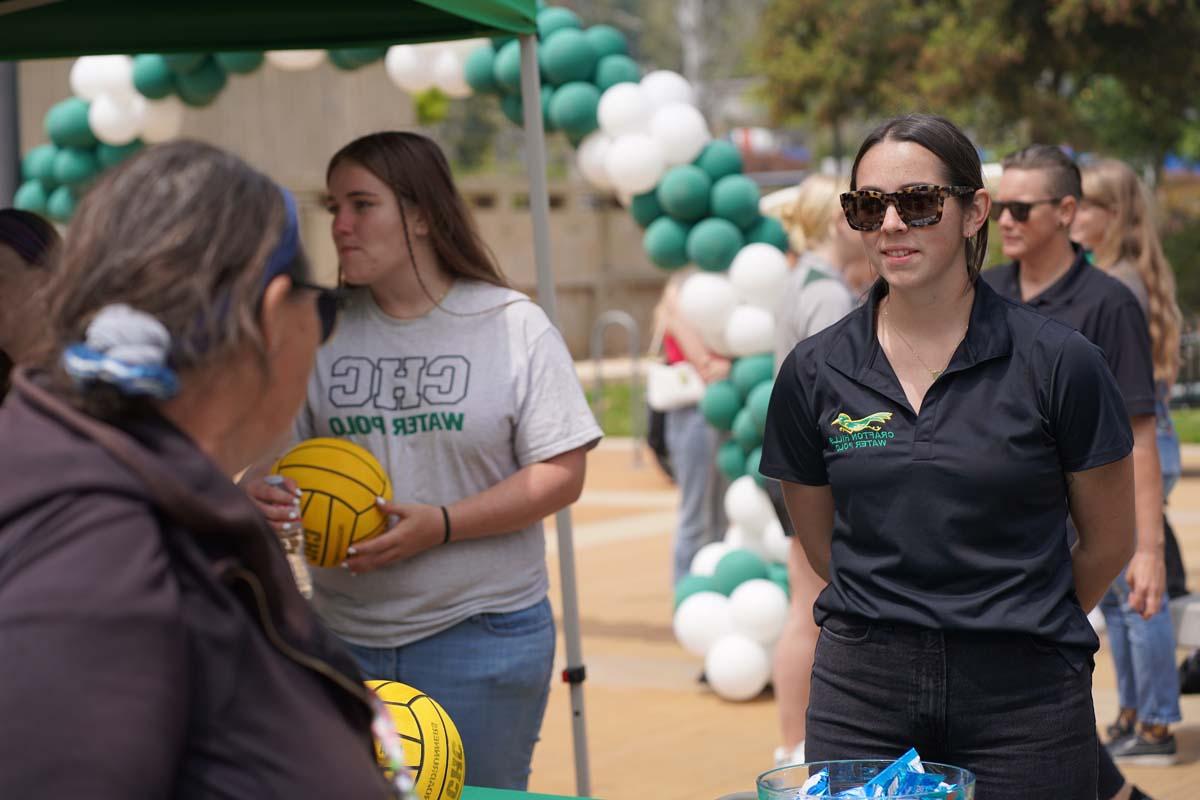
pixel 639 136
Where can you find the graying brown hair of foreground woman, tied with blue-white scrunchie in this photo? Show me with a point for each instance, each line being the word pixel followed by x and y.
pixel 182 232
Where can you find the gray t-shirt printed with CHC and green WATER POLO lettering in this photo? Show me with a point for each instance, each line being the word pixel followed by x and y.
pixel 451 406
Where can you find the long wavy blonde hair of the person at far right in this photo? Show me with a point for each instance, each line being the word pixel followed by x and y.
pixel 1133 237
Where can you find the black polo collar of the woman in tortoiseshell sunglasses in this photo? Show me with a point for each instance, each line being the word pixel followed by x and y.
pixel 857 354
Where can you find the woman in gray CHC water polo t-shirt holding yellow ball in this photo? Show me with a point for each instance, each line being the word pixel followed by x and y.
pixel 467 395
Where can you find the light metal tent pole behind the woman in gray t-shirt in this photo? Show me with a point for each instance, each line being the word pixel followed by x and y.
pixel 539 208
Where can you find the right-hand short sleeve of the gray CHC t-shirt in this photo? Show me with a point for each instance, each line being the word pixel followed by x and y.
pixel 554 416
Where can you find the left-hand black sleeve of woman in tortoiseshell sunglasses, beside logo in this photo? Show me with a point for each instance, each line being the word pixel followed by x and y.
pixel 793 446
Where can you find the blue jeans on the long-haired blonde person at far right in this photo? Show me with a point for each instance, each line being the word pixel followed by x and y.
pixel 1144 657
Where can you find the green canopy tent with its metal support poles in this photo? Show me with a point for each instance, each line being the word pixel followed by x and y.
pixel 37 29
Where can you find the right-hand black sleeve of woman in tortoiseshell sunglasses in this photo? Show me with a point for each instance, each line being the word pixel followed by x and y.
pixel 1088 414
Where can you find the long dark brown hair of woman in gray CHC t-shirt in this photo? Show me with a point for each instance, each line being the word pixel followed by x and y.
pixel 418 173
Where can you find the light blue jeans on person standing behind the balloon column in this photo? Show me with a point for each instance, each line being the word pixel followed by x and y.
pixel 692 443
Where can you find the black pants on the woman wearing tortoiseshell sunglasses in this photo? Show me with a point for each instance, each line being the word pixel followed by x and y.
pixel 1011 708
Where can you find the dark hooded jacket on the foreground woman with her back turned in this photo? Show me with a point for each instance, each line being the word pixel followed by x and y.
pixel 153 642
